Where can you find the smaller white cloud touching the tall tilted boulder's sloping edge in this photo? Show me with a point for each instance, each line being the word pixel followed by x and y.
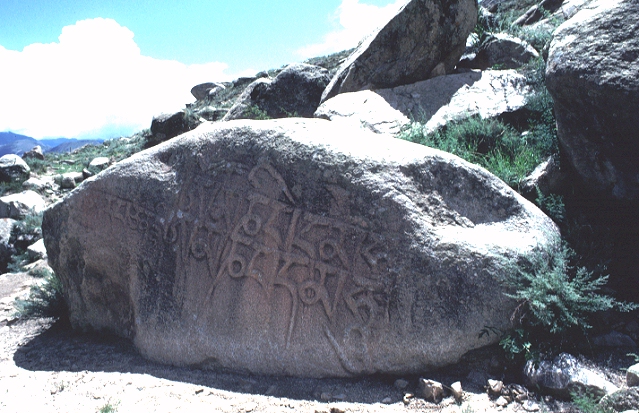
pixel 356 21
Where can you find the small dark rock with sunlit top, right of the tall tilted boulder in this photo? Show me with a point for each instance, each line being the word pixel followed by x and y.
pixel 504 51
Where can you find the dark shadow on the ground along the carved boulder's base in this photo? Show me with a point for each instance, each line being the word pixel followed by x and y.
pixel 59 348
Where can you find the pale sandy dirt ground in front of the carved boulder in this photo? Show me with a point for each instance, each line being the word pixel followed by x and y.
pixel 47 367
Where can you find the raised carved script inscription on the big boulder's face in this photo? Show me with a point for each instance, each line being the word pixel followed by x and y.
pixel 246 226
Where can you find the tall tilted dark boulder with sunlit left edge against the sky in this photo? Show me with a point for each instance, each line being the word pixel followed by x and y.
pixel 424 39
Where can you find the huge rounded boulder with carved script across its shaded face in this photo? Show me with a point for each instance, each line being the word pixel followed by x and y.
pixel 293 247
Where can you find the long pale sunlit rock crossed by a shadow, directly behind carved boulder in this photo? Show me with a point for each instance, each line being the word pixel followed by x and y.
pixel 434 102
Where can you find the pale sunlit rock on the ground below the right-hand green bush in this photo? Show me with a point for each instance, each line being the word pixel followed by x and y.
pixel 565 375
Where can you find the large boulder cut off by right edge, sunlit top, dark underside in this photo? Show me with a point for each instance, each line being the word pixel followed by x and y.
pixel 593 76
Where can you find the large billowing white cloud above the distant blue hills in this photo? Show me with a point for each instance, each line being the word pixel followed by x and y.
pixel 92 83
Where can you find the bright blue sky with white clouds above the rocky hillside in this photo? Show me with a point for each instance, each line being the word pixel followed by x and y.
pixel 103 69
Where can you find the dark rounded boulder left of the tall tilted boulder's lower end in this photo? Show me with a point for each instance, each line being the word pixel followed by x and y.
pixel 296 91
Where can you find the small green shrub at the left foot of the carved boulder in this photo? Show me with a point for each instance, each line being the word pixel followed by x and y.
pixel 44 300
